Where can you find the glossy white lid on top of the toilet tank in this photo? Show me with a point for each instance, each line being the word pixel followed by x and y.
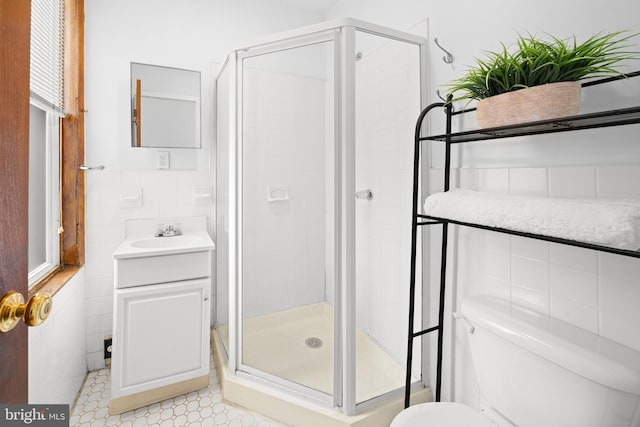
pixel 575 349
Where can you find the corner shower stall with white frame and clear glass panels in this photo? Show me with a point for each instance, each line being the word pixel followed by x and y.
pixel 314 169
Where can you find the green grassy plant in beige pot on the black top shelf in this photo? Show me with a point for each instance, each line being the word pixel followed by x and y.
pixel 539 79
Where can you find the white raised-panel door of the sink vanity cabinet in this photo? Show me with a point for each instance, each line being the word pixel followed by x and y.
pixel 161 336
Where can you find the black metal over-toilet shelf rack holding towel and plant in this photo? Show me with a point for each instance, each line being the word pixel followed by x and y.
pixel 609 118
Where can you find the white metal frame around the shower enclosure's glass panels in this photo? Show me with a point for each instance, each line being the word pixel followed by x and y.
pixel 342 34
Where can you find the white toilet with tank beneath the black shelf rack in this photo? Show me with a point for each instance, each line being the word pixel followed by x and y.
pixel 534 370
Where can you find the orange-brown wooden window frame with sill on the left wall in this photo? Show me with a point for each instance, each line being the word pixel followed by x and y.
pixel 72 240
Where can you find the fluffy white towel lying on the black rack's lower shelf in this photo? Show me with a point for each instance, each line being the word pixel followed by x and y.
pixel 607 222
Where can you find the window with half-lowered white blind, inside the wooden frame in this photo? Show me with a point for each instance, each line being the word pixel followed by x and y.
pixel 47 109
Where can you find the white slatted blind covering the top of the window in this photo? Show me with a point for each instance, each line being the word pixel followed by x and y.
pixel 47 54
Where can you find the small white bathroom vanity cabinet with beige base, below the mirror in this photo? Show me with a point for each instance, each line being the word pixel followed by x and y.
pixel 162 309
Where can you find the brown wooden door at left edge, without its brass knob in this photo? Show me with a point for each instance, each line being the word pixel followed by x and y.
pixel 15 22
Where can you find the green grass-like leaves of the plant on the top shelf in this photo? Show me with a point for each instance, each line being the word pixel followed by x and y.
pixel 535 62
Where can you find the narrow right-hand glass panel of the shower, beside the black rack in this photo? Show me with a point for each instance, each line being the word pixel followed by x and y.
pixel 387 101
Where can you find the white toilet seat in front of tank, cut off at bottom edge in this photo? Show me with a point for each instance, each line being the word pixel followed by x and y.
pixel 441 415
